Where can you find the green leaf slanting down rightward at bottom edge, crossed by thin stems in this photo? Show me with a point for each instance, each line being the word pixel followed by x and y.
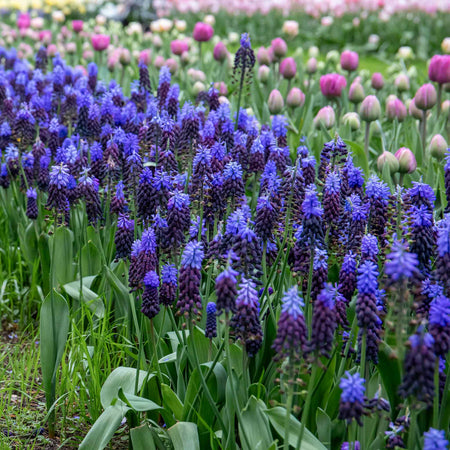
pixel 277 417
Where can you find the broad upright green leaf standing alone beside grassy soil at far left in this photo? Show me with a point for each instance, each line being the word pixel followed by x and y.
pixel 54 325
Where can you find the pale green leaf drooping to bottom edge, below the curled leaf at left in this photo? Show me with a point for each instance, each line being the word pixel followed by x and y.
pixel 104 428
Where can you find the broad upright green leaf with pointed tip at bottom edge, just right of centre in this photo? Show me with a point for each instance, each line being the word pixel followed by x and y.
pixel 255 424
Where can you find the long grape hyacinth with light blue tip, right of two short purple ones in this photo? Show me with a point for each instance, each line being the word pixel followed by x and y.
pixel 189 301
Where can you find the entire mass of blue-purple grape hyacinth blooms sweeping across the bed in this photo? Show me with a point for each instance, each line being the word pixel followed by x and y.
pixel 173 178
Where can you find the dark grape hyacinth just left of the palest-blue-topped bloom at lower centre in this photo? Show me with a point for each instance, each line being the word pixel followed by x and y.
pixel 245 322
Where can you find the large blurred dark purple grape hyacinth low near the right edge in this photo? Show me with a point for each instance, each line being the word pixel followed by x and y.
pixel 418 379
